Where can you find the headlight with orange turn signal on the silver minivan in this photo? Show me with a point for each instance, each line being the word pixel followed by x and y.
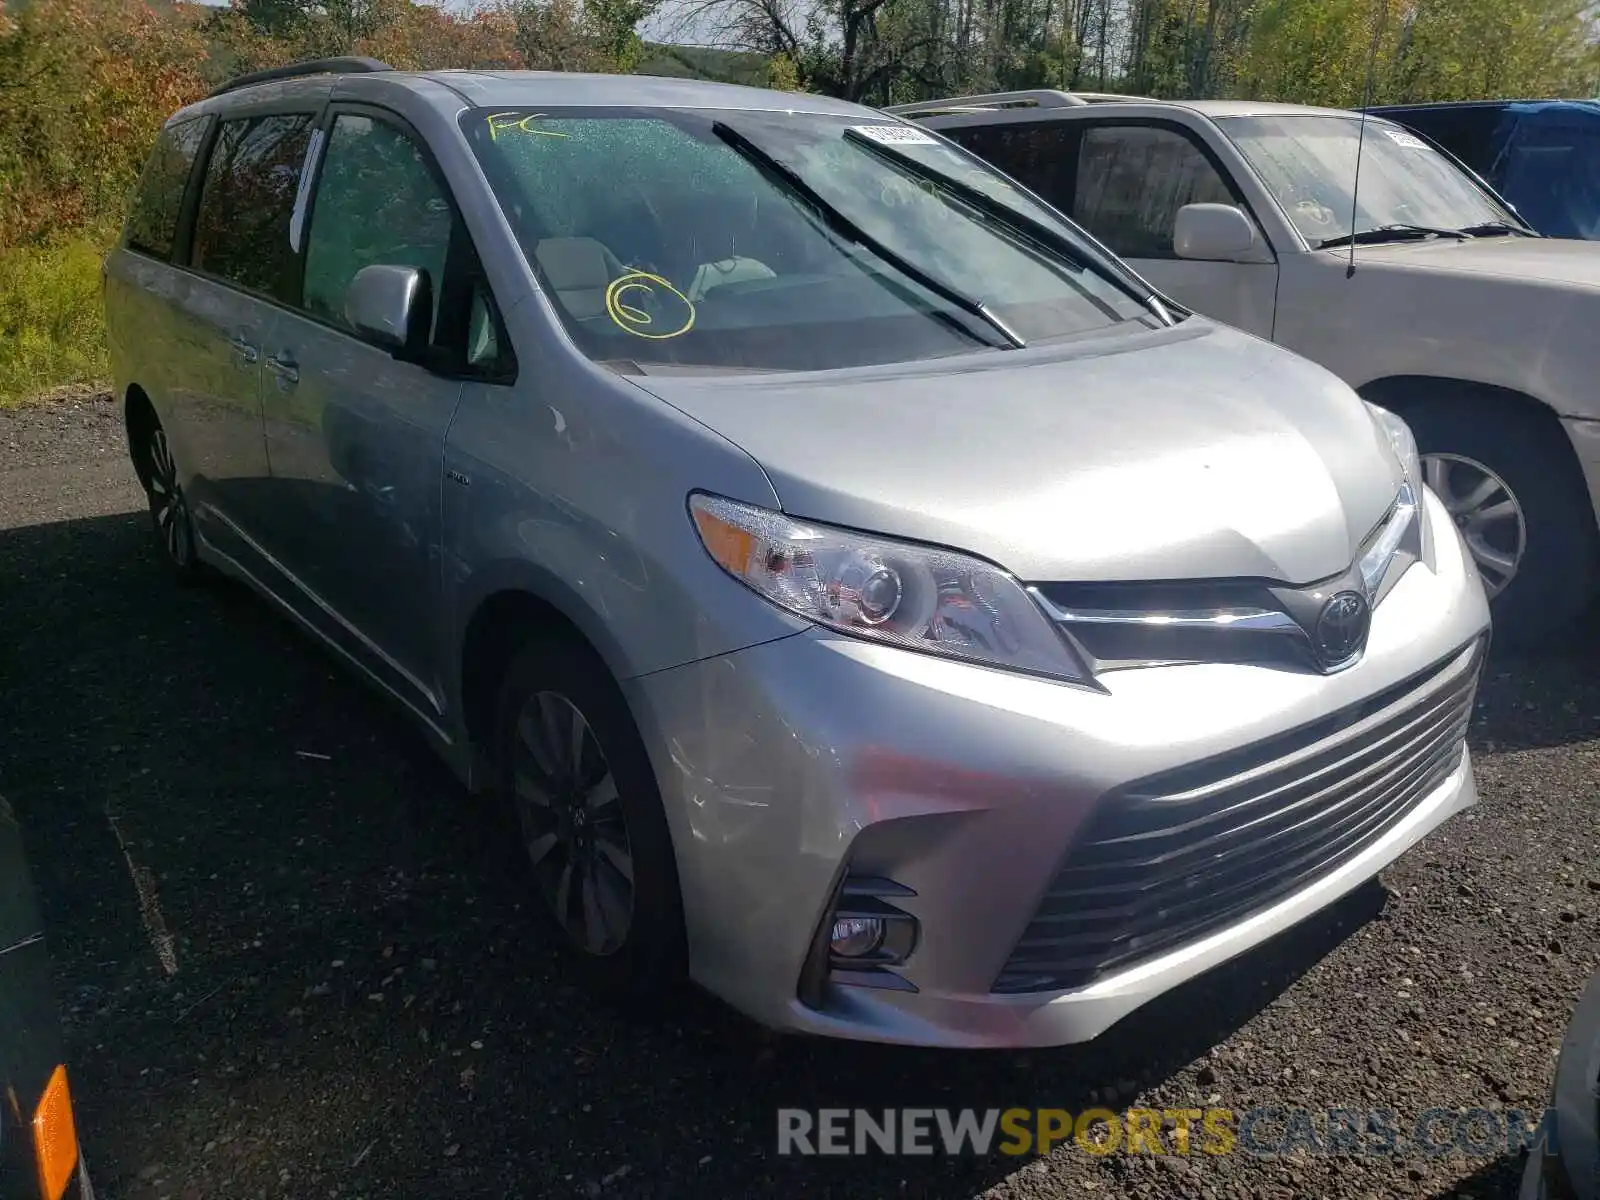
pixel 886 591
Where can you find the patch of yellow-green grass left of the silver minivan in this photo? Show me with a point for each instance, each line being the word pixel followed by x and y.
pixel 52 330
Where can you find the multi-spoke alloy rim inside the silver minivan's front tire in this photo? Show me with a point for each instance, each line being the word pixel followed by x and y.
pixel 574 825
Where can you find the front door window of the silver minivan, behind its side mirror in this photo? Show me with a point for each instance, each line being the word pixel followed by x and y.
pixel 378 201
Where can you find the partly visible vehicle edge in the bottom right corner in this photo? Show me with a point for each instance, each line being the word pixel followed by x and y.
pixel 1569 1166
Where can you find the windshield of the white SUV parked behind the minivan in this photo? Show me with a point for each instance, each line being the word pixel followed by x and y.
pixel 1310 166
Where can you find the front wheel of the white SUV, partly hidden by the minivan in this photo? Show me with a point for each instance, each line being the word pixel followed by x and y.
pixel 1519 500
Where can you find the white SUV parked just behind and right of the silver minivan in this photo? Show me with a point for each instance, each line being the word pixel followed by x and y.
pixel 1418 287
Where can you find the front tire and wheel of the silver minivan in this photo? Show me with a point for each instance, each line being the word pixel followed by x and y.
pixel 575 772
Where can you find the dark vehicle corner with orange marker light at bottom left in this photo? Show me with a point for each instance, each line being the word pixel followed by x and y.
pixel 39 1145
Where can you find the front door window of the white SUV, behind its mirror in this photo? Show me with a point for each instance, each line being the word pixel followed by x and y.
pixel 1134 180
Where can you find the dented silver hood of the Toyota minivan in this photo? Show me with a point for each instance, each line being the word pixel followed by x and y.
pixel 1185 454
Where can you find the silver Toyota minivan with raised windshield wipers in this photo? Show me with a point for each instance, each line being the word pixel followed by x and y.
pixel 871 598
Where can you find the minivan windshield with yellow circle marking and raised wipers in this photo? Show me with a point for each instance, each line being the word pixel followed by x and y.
pixel 772 241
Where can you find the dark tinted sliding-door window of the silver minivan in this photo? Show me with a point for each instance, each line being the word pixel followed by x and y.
pixel 242 230
